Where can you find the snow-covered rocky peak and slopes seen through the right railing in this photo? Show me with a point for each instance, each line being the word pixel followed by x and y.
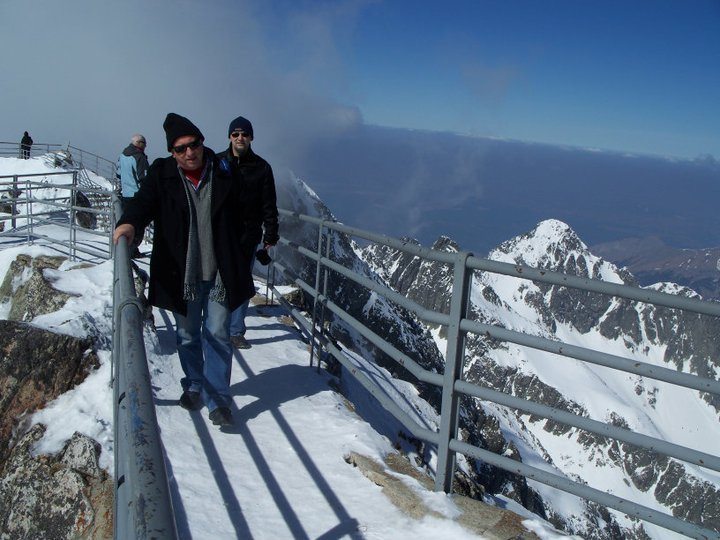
pixel 656 335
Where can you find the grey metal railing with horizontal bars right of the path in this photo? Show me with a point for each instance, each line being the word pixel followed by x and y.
pixel 451 382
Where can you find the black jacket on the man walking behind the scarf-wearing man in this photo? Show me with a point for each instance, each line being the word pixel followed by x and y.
pixel 259 208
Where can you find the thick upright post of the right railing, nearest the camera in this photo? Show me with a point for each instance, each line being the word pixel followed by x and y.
pixel 454 360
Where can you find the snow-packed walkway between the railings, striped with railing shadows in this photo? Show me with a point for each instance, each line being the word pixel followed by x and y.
pixel 280 471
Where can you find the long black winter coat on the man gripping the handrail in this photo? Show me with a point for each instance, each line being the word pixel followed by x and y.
pixel 162 199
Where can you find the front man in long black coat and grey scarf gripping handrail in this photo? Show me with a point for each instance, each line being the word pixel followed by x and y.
pixel 198 267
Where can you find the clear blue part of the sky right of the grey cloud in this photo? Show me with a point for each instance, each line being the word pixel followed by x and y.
pixel 632 75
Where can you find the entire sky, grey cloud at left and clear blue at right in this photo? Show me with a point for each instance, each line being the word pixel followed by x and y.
pixel 635 75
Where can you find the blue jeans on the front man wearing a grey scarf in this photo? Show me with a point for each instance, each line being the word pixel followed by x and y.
pixel 204 348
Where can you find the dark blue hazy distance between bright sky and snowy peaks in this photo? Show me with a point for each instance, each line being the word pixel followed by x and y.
pixel 655 215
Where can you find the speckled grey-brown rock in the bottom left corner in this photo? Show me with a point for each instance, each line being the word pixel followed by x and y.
pixel 61 496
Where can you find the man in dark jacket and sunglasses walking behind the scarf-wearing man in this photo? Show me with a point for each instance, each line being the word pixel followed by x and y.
pixel 259 212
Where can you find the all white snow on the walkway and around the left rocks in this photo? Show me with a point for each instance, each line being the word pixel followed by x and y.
pixel 280 472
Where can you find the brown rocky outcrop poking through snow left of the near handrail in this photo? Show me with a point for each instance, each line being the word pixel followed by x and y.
pixel 65 495
